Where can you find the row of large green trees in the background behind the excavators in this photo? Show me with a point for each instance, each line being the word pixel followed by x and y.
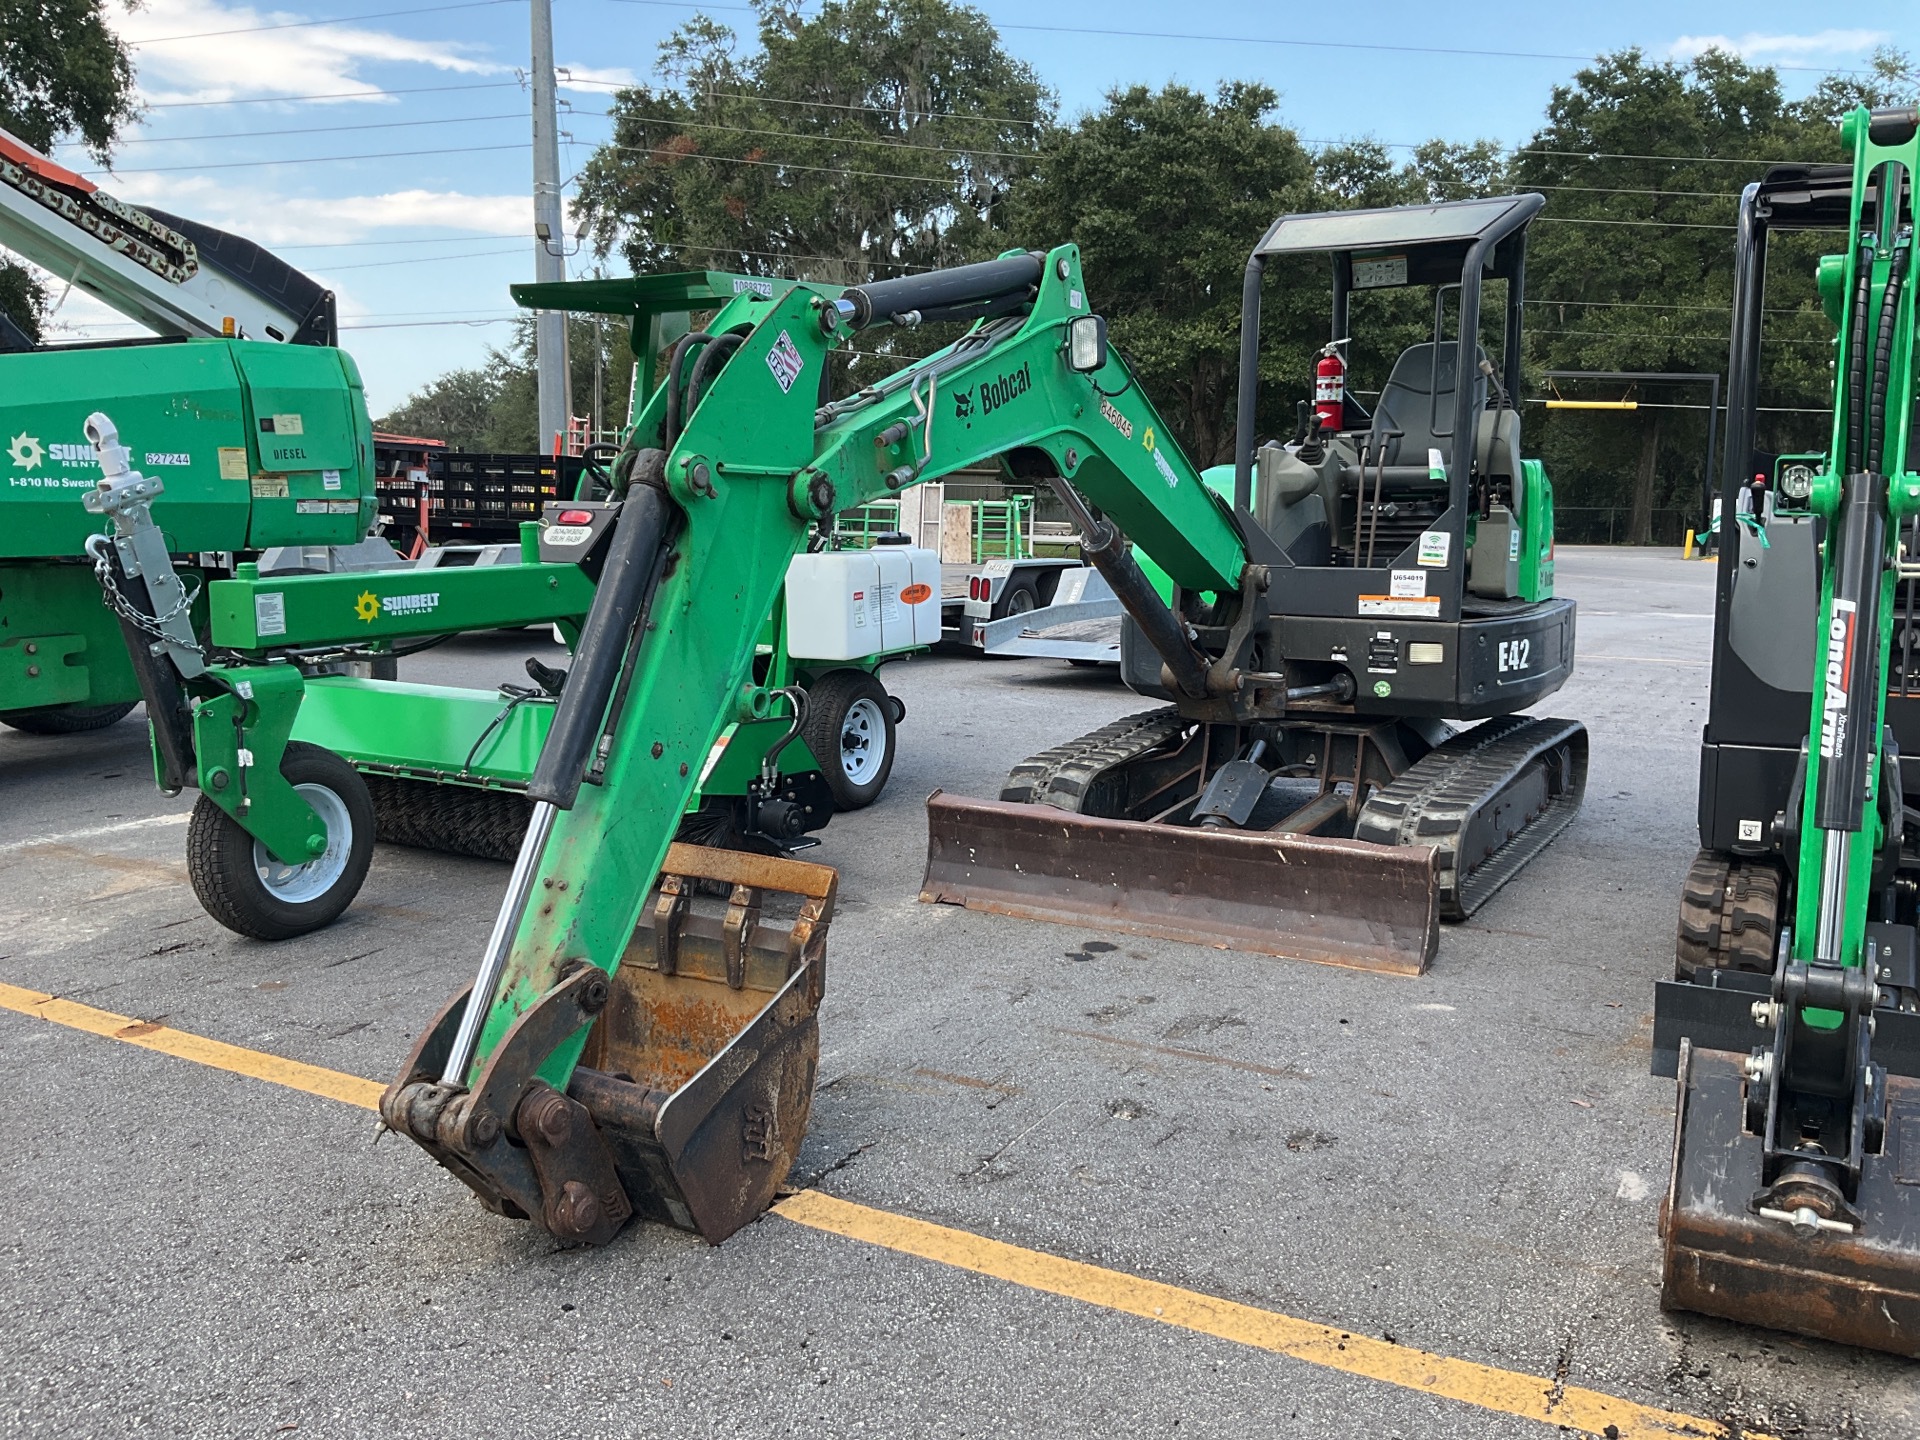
pixel 892 135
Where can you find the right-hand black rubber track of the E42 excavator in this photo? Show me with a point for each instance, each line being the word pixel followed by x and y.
pixel 1437 798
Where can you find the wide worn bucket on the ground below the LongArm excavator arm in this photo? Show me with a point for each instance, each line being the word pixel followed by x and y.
pixel 1723 1259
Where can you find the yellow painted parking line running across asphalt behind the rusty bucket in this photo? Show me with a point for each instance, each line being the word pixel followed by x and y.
pixel 1487 1387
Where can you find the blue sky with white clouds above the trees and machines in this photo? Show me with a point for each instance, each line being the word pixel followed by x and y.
pixel 421 247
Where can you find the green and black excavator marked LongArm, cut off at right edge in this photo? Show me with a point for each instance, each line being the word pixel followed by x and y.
pixel 1794 1024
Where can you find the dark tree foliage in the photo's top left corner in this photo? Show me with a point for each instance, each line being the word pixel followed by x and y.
pixel 64 74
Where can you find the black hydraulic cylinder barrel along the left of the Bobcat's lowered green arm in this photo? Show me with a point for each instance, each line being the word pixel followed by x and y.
pixel 613 623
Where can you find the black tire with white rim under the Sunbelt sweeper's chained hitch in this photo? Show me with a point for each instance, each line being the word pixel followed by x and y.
pixel 228 875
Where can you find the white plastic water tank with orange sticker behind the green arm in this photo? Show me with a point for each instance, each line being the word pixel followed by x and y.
pixel 846 606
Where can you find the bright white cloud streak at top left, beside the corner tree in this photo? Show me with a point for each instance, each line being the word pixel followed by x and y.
pixel 312 60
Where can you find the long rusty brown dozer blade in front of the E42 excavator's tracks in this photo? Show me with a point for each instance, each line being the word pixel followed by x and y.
pixel 1301 898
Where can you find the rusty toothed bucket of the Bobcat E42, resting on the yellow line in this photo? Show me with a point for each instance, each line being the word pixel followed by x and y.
pixel 698 1074
